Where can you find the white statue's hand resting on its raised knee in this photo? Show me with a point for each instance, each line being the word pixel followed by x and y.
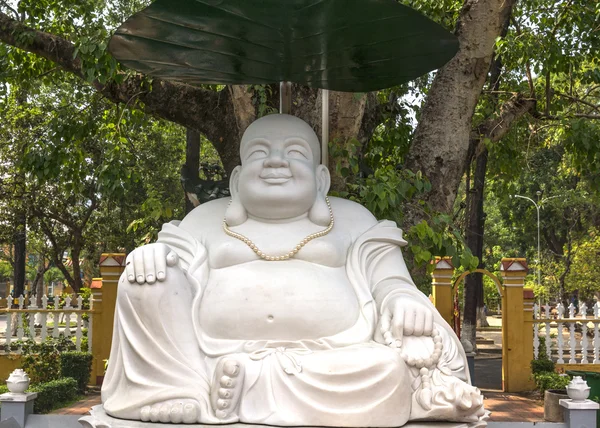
pixel 149 263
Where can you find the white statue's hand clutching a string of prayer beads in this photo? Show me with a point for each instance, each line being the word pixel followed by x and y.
pixel 403 316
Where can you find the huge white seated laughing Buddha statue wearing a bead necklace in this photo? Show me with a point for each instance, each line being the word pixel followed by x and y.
pixel 281 307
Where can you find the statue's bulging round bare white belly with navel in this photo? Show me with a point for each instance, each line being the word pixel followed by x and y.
pixel 289 300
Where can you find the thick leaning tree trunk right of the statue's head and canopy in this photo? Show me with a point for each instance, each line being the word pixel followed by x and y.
pixel 441 141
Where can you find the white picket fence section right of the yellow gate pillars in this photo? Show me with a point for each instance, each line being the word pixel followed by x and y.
pixel 568 340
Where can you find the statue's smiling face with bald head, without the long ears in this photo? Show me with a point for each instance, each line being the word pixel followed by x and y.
pixel 279 156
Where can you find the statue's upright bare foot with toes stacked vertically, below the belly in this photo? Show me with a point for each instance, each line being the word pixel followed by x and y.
pixel 227 388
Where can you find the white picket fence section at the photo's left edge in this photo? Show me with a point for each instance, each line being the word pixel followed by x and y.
pixel 37 324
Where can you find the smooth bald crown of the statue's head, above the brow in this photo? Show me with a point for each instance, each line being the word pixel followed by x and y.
pixel 276 126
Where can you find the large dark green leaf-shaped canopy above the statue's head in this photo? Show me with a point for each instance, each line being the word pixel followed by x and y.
pixel 342 45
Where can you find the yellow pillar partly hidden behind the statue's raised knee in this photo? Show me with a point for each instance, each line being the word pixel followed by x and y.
pixel 104 303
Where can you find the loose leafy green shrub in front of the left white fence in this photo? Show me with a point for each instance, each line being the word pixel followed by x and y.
pixel 41 361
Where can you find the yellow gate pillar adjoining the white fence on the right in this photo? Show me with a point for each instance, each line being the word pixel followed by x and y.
pixel 517 340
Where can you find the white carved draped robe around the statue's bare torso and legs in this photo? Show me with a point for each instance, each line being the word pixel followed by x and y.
pixel 160 351
